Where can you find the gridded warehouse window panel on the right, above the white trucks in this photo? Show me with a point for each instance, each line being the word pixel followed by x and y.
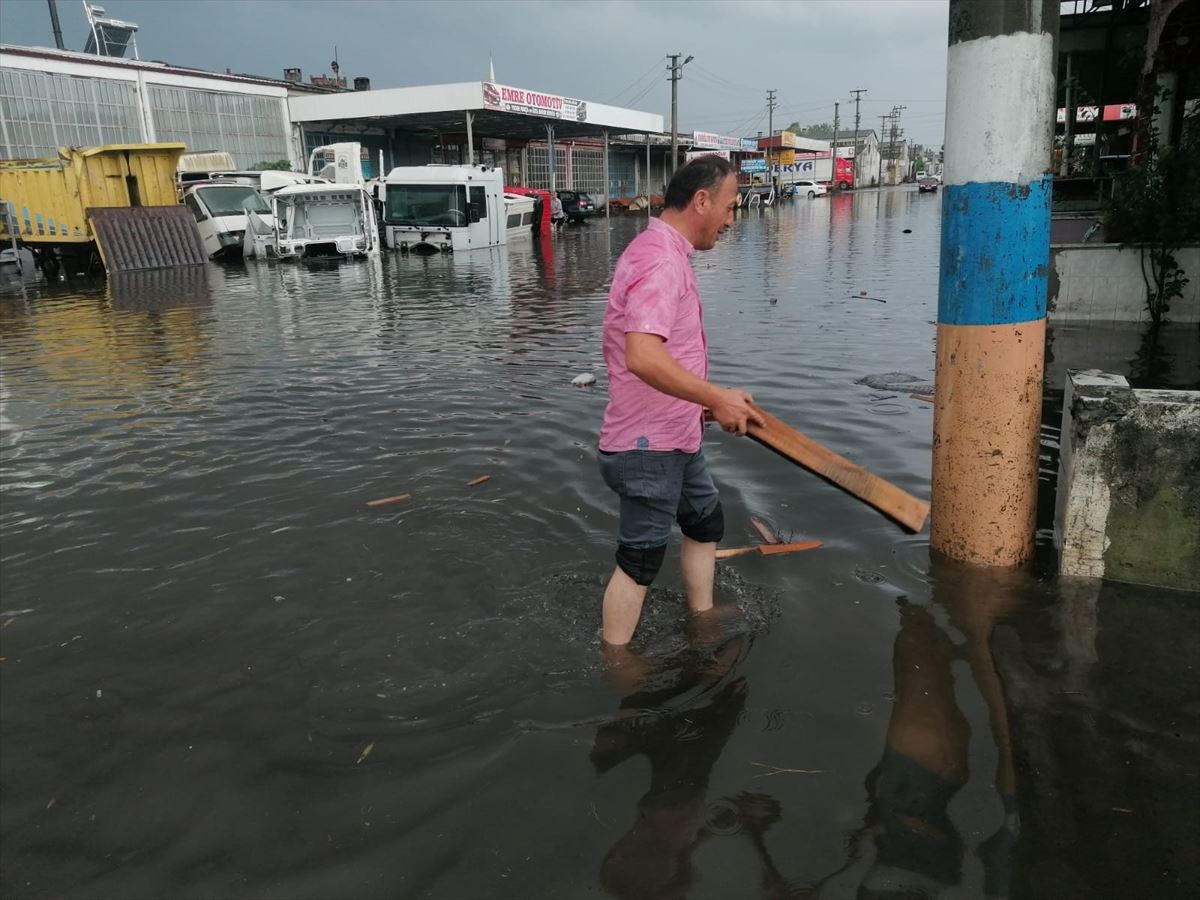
pixel 250 129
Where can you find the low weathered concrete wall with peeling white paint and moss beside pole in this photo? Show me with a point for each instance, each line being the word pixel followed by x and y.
pixel 1129 505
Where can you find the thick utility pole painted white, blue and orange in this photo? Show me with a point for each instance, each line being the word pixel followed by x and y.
pixel 992 303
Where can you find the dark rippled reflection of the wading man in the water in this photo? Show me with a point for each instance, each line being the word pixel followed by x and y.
pixel 680 721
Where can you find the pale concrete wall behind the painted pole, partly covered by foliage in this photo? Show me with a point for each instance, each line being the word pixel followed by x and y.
pixel 1102 283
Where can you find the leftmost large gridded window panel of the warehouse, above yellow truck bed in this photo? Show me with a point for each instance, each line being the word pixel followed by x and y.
pixel 43 112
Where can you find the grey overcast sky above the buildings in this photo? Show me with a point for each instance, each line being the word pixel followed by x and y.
pixel 813 52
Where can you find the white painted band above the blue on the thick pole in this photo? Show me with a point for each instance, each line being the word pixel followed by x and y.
pixel 1000 110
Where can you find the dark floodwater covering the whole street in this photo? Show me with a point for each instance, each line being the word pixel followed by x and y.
pixel 225 675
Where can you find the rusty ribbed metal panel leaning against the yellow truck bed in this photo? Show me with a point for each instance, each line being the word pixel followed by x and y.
pixel 147 238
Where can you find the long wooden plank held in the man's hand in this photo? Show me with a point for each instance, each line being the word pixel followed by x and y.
pixel 887 499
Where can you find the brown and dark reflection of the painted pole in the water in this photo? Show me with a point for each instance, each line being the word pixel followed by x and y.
pixel 911 844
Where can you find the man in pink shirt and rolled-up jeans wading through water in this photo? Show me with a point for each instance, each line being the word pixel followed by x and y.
pixel 658 391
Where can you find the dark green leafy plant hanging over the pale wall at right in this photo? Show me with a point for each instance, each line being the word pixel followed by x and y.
pixel 1156 205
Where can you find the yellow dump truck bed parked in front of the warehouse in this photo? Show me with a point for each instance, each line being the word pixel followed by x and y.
pixel 47 200
